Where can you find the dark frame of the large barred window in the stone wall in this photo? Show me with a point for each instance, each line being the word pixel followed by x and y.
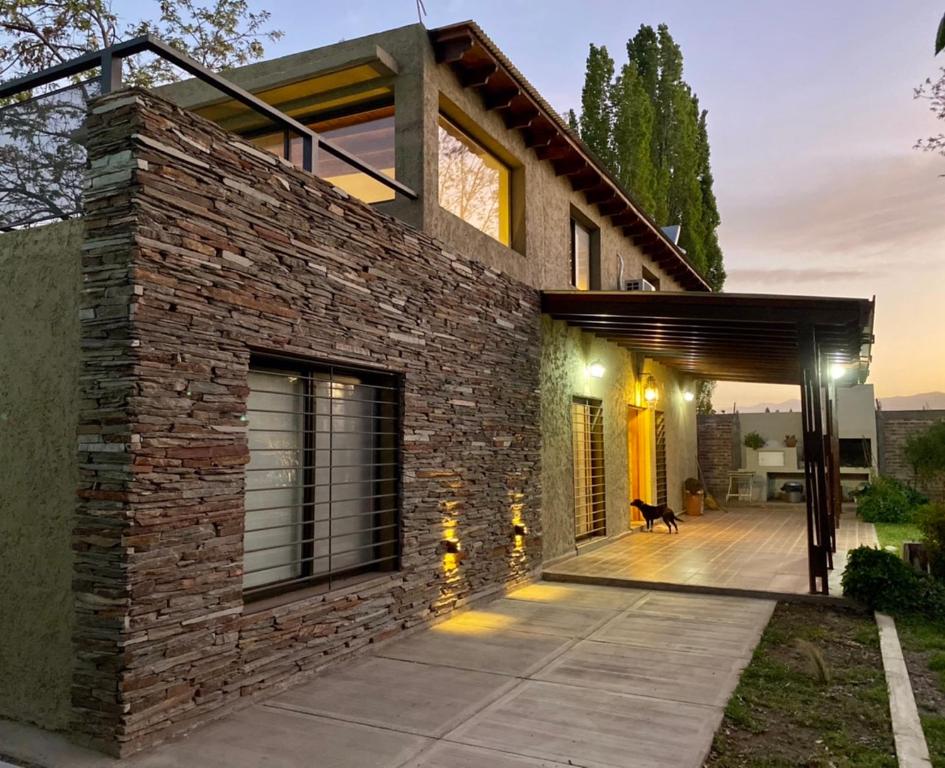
pixel 309 579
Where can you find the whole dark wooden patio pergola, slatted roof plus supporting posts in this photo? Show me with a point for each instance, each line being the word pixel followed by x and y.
pixel 802 340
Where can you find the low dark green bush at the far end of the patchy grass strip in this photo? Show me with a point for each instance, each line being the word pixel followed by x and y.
pixel 882 581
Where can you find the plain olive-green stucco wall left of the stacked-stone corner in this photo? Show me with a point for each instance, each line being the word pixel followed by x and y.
pixel 39 364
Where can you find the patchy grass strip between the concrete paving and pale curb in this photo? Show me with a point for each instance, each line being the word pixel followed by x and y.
pixel 813 695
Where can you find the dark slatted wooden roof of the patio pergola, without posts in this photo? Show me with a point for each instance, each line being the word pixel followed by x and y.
pixel 725 336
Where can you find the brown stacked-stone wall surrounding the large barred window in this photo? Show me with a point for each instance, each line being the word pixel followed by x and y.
pixel 200 248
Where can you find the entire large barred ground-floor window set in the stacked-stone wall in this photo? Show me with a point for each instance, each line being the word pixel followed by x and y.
pixel 322 485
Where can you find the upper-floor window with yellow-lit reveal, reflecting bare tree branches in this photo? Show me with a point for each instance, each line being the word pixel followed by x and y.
pixel 473 183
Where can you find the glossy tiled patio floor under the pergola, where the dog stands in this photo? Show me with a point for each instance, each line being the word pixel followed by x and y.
pixel 747 548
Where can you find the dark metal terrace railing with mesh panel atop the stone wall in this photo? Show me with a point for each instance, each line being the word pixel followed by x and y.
pixel 109 63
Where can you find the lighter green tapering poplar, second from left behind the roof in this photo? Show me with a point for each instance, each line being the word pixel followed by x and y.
pixel 633 136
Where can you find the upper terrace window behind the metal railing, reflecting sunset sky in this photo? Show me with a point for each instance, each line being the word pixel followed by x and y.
pixel 366 134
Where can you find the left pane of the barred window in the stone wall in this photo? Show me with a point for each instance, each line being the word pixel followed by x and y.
pixel 274 479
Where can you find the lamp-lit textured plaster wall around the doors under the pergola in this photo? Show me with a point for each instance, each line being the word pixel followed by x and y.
pixel 566 352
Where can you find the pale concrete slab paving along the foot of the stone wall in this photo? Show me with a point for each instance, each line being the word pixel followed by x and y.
pixel 553 675
